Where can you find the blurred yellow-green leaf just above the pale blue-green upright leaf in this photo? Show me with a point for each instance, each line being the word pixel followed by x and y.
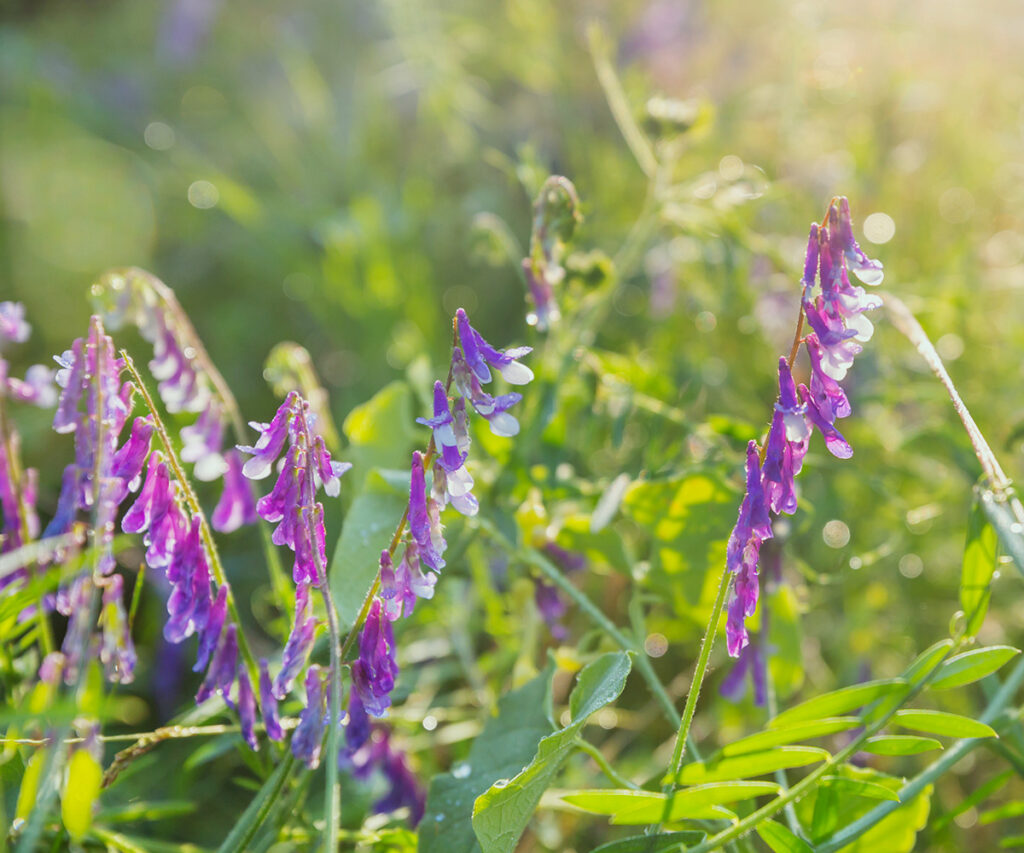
pixel 380 432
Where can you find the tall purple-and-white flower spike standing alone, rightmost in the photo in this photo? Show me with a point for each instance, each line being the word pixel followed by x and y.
pixel 835 310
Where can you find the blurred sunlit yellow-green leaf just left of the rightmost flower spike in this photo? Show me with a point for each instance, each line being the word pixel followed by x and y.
pixel 688 520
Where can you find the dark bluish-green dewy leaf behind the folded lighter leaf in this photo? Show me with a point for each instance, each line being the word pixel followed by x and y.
pixel 502 750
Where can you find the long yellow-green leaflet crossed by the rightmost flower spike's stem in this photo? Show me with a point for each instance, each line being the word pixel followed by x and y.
pixel 635 807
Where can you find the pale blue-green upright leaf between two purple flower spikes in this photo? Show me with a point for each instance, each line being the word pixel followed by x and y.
pixel 367 531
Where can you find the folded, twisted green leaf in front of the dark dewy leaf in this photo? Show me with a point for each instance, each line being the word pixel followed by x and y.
pixel 501 815
